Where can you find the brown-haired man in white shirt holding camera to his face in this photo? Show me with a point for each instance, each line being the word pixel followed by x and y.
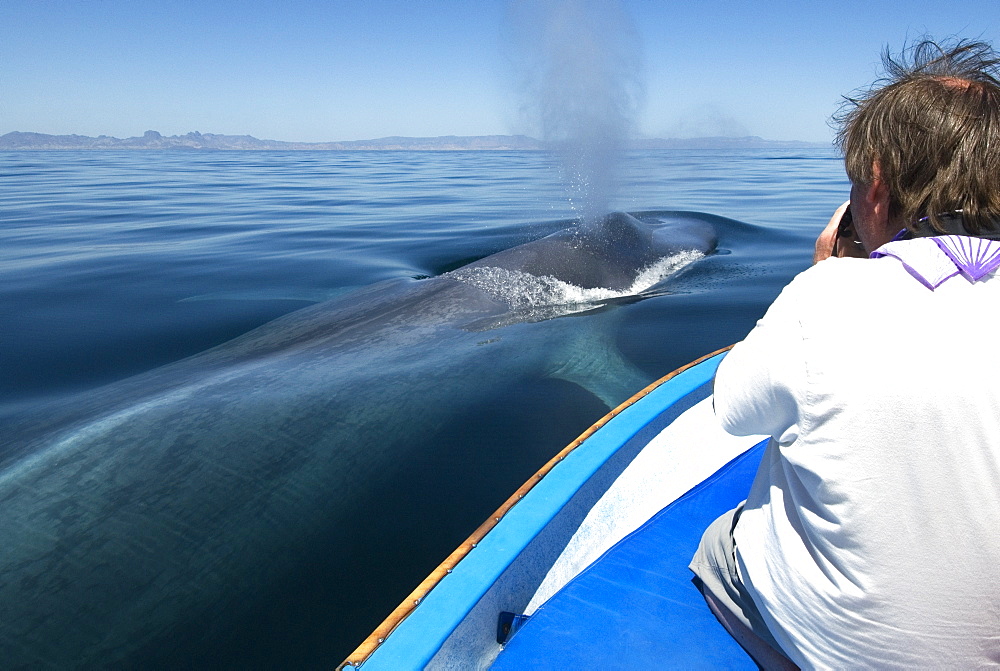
pixel 869 535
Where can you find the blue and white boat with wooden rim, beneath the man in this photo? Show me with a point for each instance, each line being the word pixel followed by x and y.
pixel 634 493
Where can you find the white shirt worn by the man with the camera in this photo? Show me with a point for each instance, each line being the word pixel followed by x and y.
pixel 871 535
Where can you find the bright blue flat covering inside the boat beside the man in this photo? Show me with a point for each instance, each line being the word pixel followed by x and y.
pixel 636 607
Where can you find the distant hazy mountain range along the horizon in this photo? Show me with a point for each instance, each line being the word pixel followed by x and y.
pixel 195 140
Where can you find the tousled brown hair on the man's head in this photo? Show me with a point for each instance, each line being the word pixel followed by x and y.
pixel 930 130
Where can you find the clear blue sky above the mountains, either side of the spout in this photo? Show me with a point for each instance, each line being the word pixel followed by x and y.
pixel 311 70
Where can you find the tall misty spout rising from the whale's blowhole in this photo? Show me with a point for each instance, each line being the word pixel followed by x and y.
pixel 579 63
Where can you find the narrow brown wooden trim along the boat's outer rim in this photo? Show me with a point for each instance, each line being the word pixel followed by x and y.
pixel 400 613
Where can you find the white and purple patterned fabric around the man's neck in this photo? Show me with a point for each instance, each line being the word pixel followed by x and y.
pixel 932 261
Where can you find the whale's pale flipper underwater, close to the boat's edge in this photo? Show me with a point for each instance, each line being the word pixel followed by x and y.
pixel 594 363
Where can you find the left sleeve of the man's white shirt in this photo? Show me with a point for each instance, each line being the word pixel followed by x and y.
pixel 759 383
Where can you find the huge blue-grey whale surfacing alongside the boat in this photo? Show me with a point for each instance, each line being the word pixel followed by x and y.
pixel 149 511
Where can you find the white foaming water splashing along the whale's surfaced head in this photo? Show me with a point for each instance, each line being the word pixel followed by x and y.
pixel 525 292
